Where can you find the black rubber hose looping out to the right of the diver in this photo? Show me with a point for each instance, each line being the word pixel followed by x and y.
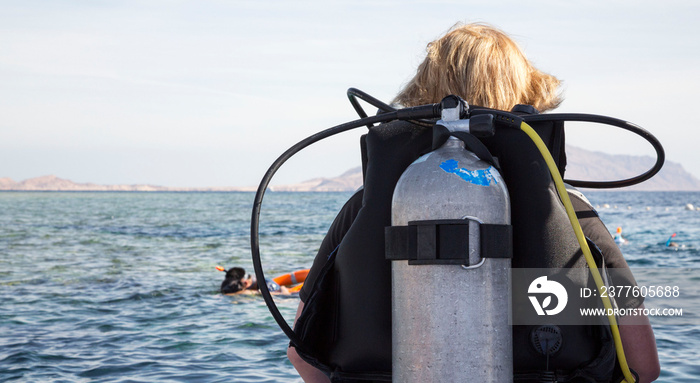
pixel 660 154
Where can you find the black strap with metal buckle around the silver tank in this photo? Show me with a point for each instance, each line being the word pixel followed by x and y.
pixel 446 241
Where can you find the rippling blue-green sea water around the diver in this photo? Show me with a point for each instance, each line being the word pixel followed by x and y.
pixel 122 286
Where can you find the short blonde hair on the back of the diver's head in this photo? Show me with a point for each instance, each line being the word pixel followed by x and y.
pixel 482 65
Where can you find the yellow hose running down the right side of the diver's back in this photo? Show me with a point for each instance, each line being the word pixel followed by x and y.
pixel 564 196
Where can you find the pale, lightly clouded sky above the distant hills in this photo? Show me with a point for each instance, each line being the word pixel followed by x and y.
pixel 209 93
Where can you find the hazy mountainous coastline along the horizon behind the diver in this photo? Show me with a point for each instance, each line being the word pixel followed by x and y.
pixel 582 165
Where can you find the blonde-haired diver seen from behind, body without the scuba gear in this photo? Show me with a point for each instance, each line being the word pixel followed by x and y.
pixel 485 67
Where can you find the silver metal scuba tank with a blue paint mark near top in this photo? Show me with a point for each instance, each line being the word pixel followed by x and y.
pixel 452 314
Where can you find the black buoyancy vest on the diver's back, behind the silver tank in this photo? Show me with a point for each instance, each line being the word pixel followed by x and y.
pixel 346 321
